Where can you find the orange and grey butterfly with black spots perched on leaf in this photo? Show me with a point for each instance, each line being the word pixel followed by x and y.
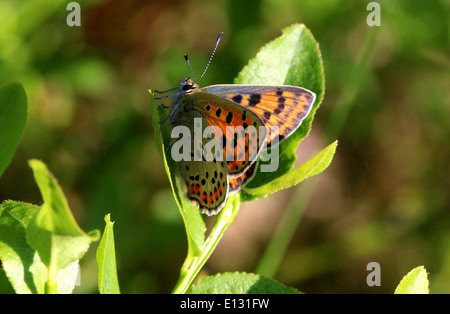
pixel 210 179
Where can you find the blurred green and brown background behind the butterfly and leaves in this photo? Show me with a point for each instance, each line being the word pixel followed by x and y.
pixel 385 198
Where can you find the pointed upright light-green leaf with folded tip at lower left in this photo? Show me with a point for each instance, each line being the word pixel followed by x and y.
pixel 53 231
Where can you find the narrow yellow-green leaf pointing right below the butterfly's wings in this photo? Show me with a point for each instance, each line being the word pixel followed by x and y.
pixel 313 166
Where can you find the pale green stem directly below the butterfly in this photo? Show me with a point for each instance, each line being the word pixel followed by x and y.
pixel 194 263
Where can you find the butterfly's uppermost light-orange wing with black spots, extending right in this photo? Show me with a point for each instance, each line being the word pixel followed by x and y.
pixel 282 106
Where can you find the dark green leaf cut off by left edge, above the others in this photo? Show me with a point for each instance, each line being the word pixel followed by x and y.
pixel 13 117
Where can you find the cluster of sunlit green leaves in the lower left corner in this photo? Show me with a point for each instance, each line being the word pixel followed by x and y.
pixel 40 246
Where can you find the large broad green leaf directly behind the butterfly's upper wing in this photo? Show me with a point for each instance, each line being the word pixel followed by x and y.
pixel 291 59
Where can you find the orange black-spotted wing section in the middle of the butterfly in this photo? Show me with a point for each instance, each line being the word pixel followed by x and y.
pixel 241 132
